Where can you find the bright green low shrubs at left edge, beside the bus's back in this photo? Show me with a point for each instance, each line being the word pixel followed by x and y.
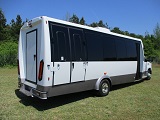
pixel 8 53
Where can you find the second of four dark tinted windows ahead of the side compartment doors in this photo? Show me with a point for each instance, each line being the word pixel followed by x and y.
pixel 109 53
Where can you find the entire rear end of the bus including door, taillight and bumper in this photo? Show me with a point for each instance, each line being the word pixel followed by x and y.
pixel 31 58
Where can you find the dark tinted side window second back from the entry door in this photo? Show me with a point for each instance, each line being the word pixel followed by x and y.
pixel 121 49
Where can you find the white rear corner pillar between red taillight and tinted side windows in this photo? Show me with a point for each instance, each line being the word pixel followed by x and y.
pixel 44 50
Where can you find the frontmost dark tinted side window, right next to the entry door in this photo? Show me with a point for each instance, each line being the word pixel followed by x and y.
pixel 131 50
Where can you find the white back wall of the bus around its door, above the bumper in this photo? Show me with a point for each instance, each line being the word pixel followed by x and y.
pixel 27 49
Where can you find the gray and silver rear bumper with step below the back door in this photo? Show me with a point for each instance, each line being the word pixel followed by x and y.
pixel 29 91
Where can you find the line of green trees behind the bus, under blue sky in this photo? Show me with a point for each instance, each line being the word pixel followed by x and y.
pixel 9 35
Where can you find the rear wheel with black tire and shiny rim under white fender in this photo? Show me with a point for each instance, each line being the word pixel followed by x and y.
pixel 104 88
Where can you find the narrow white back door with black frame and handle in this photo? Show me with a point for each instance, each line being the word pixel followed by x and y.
pixel 31 56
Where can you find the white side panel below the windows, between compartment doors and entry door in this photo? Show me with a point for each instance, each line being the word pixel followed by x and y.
pixel 111 68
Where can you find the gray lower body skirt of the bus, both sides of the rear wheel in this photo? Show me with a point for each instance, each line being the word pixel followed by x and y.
pixel 44 92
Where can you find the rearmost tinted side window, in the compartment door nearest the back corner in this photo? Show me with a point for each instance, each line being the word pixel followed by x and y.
pixel 59 43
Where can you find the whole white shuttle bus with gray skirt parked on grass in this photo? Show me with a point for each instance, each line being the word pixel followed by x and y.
pixel 56 57
